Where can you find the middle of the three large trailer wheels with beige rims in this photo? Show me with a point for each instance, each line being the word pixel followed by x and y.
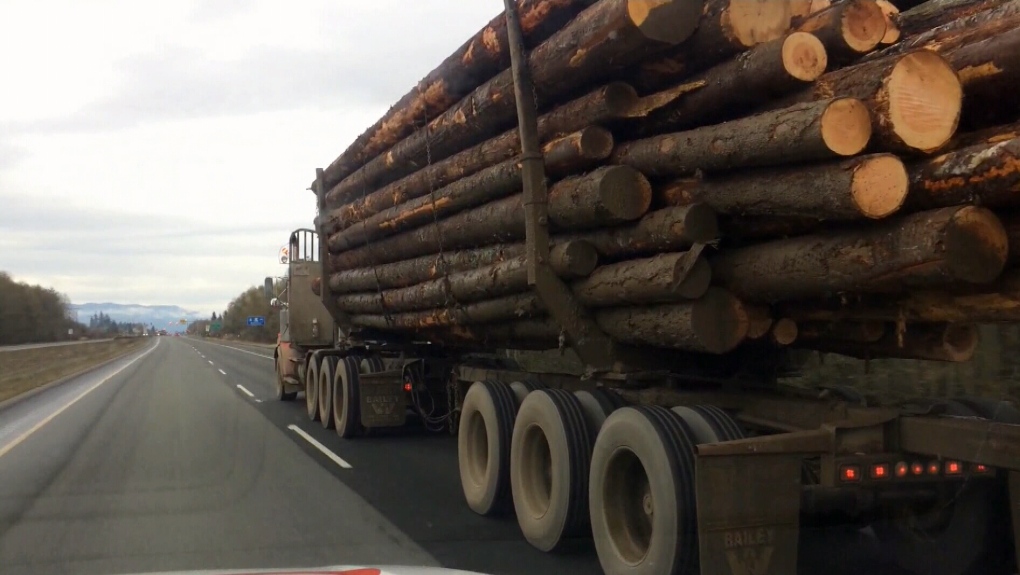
pixel 550 456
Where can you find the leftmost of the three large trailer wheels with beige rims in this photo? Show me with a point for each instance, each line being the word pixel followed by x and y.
pixel 484 439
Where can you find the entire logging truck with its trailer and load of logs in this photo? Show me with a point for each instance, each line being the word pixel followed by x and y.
pixel 599 288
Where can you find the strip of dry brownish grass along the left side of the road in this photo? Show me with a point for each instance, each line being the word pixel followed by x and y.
pixel 25 371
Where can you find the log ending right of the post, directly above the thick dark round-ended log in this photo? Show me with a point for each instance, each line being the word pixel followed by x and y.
pixel 567 155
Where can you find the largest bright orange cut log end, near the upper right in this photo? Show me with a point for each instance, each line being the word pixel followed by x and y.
pixel 926 98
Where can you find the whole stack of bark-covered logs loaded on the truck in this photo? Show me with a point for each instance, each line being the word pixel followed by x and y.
pixel 830 175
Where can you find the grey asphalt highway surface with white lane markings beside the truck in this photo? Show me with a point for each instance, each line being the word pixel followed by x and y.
pixel 178 458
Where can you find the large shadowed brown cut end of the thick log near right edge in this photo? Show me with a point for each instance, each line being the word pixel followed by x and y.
pixel 977 245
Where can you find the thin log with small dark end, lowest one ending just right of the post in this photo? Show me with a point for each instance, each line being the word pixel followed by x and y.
pixel 573 259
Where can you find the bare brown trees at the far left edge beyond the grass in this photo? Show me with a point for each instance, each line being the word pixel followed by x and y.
pixel 33 315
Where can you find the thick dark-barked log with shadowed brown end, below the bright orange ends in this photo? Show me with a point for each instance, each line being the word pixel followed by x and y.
pixel 952 245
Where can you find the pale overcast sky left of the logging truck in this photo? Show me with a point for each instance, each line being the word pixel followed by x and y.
pixel 159 152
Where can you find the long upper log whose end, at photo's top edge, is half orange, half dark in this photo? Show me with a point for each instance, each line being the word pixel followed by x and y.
pixel 601 41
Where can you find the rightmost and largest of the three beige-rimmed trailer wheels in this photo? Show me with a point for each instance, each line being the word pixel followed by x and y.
pixel 642 498
